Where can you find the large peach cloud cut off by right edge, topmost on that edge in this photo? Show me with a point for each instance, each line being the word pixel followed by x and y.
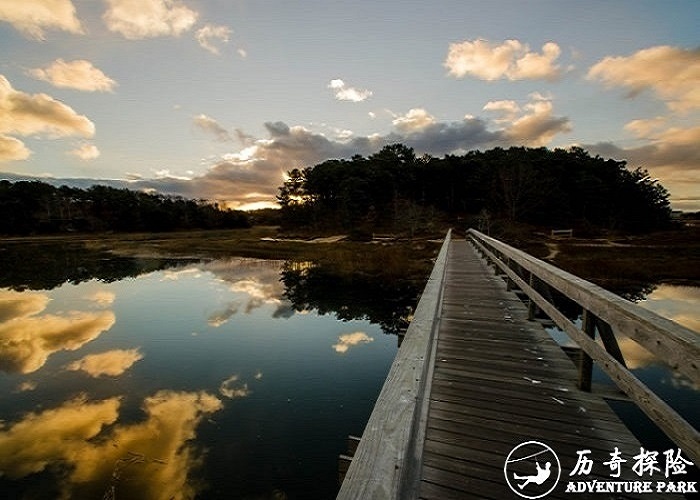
pixel 671 73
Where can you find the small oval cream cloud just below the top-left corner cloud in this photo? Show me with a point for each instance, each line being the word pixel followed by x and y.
pixel 79 75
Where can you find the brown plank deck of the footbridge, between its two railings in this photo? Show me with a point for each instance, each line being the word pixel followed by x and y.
pixel 499 380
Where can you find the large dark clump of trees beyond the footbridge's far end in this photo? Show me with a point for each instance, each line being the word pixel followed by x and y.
pixel 396 189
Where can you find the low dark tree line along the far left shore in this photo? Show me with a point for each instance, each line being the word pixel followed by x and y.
pixel 35 207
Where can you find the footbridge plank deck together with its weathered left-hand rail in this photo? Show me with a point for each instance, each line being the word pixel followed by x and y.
pixel 472 382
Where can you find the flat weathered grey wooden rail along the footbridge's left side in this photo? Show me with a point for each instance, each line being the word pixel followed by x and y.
pixel 388 456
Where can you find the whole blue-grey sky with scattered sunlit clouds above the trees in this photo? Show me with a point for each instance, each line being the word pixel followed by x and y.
pixel 218 99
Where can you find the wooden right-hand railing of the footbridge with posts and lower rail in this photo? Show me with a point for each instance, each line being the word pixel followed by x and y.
pixel 609 315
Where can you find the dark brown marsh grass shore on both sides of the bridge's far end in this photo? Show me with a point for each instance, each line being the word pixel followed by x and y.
pixel 667 257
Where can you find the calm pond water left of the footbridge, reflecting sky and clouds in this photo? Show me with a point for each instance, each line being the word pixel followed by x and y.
pixel 199 380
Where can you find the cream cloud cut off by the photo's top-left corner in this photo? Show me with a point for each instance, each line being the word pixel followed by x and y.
pixel 32 17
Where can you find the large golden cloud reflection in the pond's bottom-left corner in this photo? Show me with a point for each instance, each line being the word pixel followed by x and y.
pixel 87 437
